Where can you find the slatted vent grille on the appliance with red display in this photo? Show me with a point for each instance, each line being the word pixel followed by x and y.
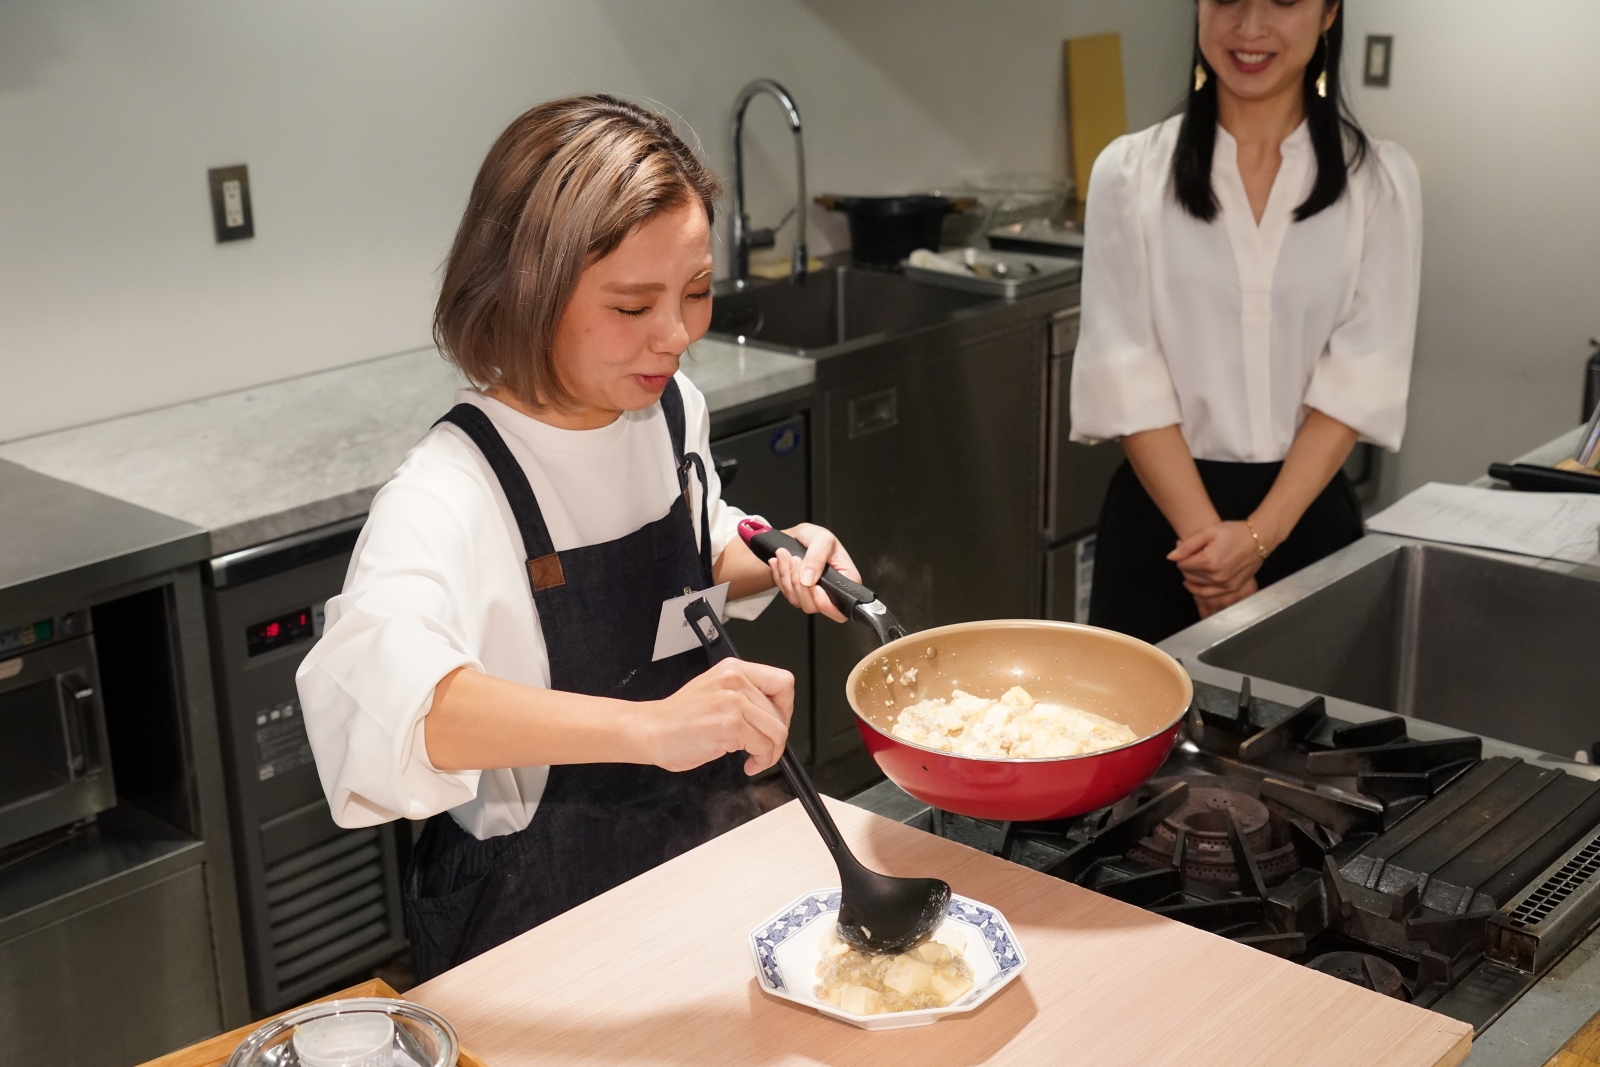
pixel 326 905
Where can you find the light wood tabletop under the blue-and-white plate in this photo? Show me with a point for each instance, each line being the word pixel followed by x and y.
pixel 658 972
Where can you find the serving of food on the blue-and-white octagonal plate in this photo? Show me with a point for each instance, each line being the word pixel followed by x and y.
pixel 934 975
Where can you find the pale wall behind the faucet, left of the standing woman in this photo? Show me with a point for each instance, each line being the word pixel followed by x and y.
pixel 364 124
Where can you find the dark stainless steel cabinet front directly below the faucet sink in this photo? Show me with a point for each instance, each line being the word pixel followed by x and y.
pixel 932 478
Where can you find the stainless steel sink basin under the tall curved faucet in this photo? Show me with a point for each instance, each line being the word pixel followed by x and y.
pixel 834 308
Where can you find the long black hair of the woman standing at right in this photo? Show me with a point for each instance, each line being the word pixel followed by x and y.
pixel 1337 138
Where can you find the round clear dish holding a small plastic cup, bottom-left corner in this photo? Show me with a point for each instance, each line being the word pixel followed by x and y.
pixel 361 1033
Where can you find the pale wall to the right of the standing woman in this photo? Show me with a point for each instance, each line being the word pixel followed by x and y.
pixel 1500 105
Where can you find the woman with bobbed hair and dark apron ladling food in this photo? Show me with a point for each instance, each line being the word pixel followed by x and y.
pixel 490 666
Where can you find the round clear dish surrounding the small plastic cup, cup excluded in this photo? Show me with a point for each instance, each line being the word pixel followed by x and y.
pixel 422 1037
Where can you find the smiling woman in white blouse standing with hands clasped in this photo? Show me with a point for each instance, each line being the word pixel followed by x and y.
pixel 1250 287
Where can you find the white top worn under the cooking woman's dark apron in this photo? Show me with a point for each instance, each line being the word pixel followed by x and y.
pixel 438 583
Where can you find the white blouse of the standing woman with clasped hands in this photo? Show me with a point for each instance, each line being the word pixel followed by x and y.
pixel 1234 330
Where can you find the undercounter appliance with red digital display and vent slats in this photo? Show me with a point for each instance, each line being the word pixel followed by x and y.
pixel 319 905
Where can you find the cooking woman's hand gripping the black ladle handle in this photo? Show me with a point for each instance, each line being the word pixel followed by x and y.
pixel 737 706
